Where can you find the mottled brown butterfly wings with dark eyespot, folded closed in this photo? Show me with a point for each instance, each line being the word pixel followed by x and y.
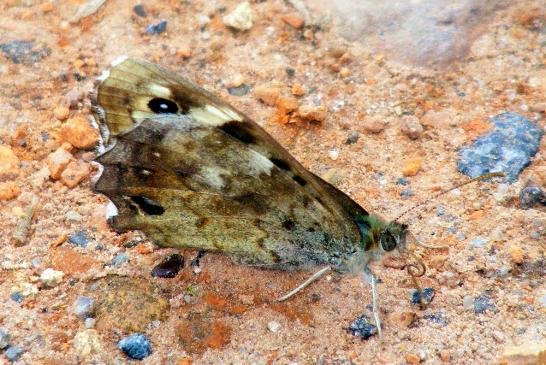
pixel 191 171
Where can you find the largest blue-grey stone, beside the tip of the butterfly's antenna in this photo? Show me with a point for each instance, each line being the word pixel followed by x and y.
pixel 507 148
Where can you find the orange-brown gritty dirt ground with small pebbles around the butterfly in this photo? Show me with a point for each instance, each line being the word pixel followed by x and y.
pixel 317 90
